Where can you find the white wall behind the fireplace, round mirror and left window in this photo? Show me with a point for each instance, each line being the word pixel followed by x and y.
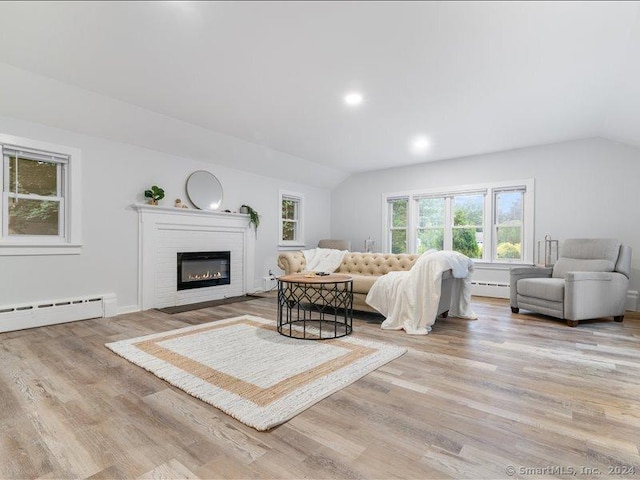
pixel 114 175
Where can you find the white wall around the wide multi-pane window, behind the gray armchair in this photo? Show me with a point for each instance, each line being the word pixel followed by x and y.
pixel 586 188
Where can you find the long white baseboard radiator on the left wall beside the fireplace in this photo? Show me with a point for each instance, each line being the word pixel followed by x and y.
pixel 38 314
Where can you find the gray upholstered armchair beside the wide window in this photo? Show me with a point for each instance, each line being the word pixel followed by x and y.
pixel 589 280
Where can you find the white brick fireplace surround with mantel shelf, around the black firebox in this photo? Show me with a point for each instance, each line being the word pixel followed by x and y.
pixel 165 231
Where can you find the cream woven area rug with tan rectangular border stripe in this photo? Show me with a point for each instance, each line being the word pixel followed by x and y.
pixel 244 367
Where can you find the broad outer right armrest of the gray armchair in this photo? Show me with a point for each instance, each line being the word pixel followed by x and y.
pixel 594 294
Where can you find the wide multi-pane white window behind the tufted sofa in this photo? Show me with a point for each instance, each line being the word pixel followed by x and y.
pixel 491 223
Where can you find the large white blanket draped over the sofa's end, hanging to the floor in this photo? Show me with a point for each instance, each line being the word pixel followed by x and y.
pixel 409 299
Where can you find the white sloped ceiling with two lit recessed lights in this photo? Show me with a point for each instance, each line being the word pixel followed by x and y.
pixel 473 77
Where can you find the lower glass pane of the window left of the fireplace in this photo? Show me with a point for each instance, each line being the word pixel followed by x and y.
pixel 33 217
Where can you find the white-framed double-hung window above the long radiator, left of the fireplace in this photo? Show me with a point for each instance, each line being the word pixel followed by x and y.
pixel 38 214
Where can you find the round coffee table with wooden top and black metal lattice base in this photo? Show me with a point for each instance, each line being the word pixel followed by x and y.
pixel 315 307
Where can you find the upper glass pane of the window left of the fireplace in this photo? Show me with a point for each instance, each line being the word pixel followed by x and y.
pixel 38 178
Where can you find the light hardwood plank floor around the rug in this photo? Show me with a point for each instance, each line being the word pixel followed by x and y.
pixel 469 400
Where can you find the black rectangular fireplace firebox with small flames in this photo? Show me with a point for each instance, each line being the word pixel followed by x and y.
pixel 203 269
